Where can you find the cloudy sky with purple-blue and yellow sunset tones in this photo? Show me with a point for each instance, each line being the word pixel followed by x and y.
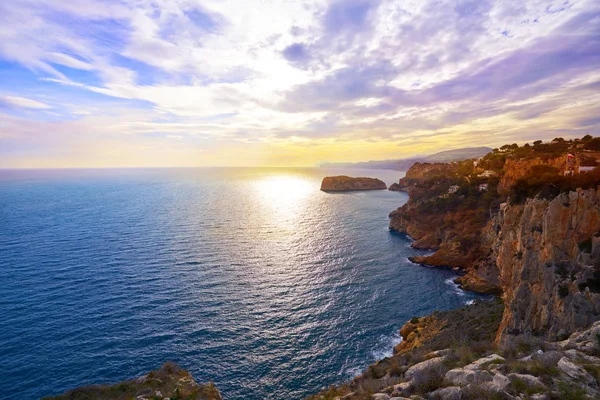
pixel 140 83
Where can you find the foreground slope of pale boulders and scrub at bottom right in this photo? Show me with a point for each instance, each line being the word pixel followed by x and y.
pixel 452 356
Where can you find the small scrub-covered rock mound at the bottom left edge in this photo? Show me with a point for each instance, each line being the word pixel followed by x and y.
pixel 168 382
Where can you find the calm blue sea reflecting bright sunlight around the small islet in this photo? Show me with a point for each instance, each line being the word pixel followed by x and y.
pixel 250 277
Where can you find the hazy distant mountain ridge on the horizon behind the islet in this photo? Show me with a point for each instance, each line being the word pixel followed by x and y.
pixel 405 163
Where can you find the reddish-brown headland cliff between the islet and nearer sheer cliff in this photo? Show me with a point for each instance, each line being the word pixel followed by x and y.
pixel 442 221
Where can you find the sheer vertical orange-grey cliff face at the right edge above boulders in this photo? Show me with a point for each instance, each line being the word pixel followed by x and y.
pixel 548 255
